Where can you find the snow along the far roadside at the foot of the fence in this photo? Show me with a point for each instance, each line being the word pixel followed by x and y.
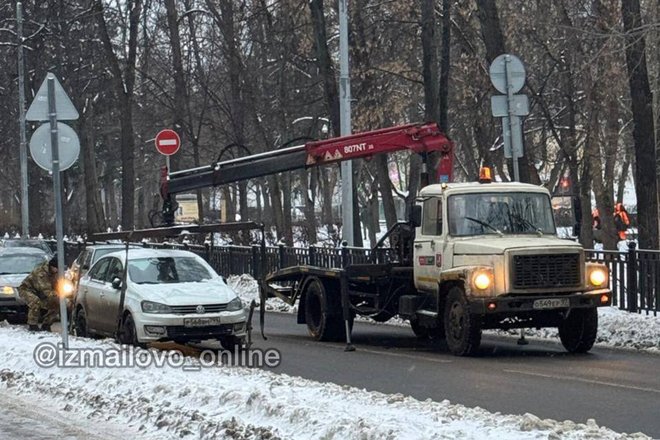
pixel 617 328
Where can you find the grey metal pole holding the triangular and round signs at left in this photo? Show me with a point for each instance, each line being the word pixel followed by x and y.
pixel 52 113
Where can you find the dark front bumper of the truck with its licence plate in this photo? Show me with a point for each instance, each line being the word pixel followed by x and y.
pixel 515 304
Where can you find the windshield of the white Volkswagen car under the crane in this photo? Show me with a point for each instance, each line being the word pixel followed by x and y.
pixel 163 270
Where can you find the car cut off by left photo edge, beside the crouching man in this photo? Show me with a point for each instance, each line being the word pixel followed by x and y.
pixel 15 264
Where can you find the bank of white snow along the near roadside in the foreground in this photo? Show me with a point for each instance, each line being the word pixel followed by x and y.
pixel 240 403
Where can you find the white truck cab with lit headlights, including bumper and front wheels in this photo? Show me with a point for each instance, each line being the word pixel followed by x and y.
pixel 486 255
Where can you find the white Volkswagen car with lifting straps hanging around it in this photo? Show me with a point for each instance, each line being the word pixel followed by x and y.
pixel 170 296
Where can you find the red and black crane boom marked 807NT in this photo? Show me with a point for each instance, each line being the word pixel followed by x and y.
pixel 420 138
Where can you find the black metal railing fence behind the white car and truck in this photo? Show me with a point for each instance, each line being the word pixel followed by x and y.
pixel 634 274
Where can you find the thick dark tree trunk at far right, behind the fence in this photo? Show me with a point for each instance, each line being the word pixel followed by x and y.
pixel 643 129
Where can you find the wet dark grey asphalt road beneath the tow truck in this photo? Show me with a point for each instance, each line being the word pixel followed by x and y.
pixel 620 389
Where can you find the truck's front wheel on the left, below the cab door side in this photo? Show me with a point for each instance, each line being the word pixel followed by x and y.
pixel 462 329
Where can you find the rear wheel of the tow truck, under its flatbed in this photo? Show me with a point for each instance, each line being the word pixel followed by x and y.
pixel 323 313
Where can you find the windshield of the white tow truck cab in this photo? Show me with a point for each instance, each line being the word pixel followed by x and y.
pixel 500 213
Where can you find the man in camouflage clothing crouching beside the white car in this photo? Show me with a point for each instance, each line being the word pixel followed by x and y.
pixel 38 292
